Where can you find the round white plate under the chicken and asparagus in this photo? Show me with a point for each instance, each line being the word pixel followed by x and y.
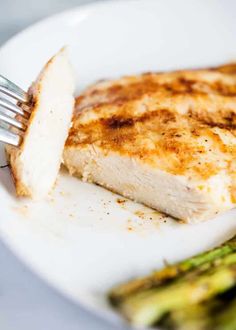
pixel 80 239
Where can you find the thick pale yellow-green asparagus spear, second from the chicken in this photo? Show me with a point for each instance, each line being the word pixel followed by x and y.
pixel 147 307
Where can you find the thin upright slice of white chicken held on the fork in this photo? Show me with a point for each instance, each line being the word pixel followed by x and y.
pixel 35 164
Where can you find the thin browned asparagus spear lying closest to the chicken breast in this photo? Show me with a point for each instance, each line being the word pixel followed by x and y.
pixel 171 272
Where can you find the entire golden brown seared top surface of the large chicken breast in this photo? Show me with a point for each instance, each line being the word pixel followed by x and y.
pixel 181 122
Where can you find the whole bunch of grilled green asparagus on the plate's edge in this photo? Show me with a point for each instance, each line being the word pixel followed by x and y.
pixel 185 295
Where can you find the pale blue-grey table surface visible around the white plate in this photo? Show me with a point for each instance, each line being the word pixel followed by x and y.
pixel 26 302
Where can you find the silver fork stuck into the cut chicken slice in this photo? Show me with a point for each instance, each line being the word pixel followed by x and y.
pixel 9 110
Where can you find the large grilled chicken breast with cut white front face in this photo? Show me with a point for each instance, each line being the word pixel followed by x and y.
pixel 167 140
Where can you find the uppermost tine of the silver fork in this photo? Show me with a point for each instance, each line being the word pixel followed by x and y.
pixel 10 89
